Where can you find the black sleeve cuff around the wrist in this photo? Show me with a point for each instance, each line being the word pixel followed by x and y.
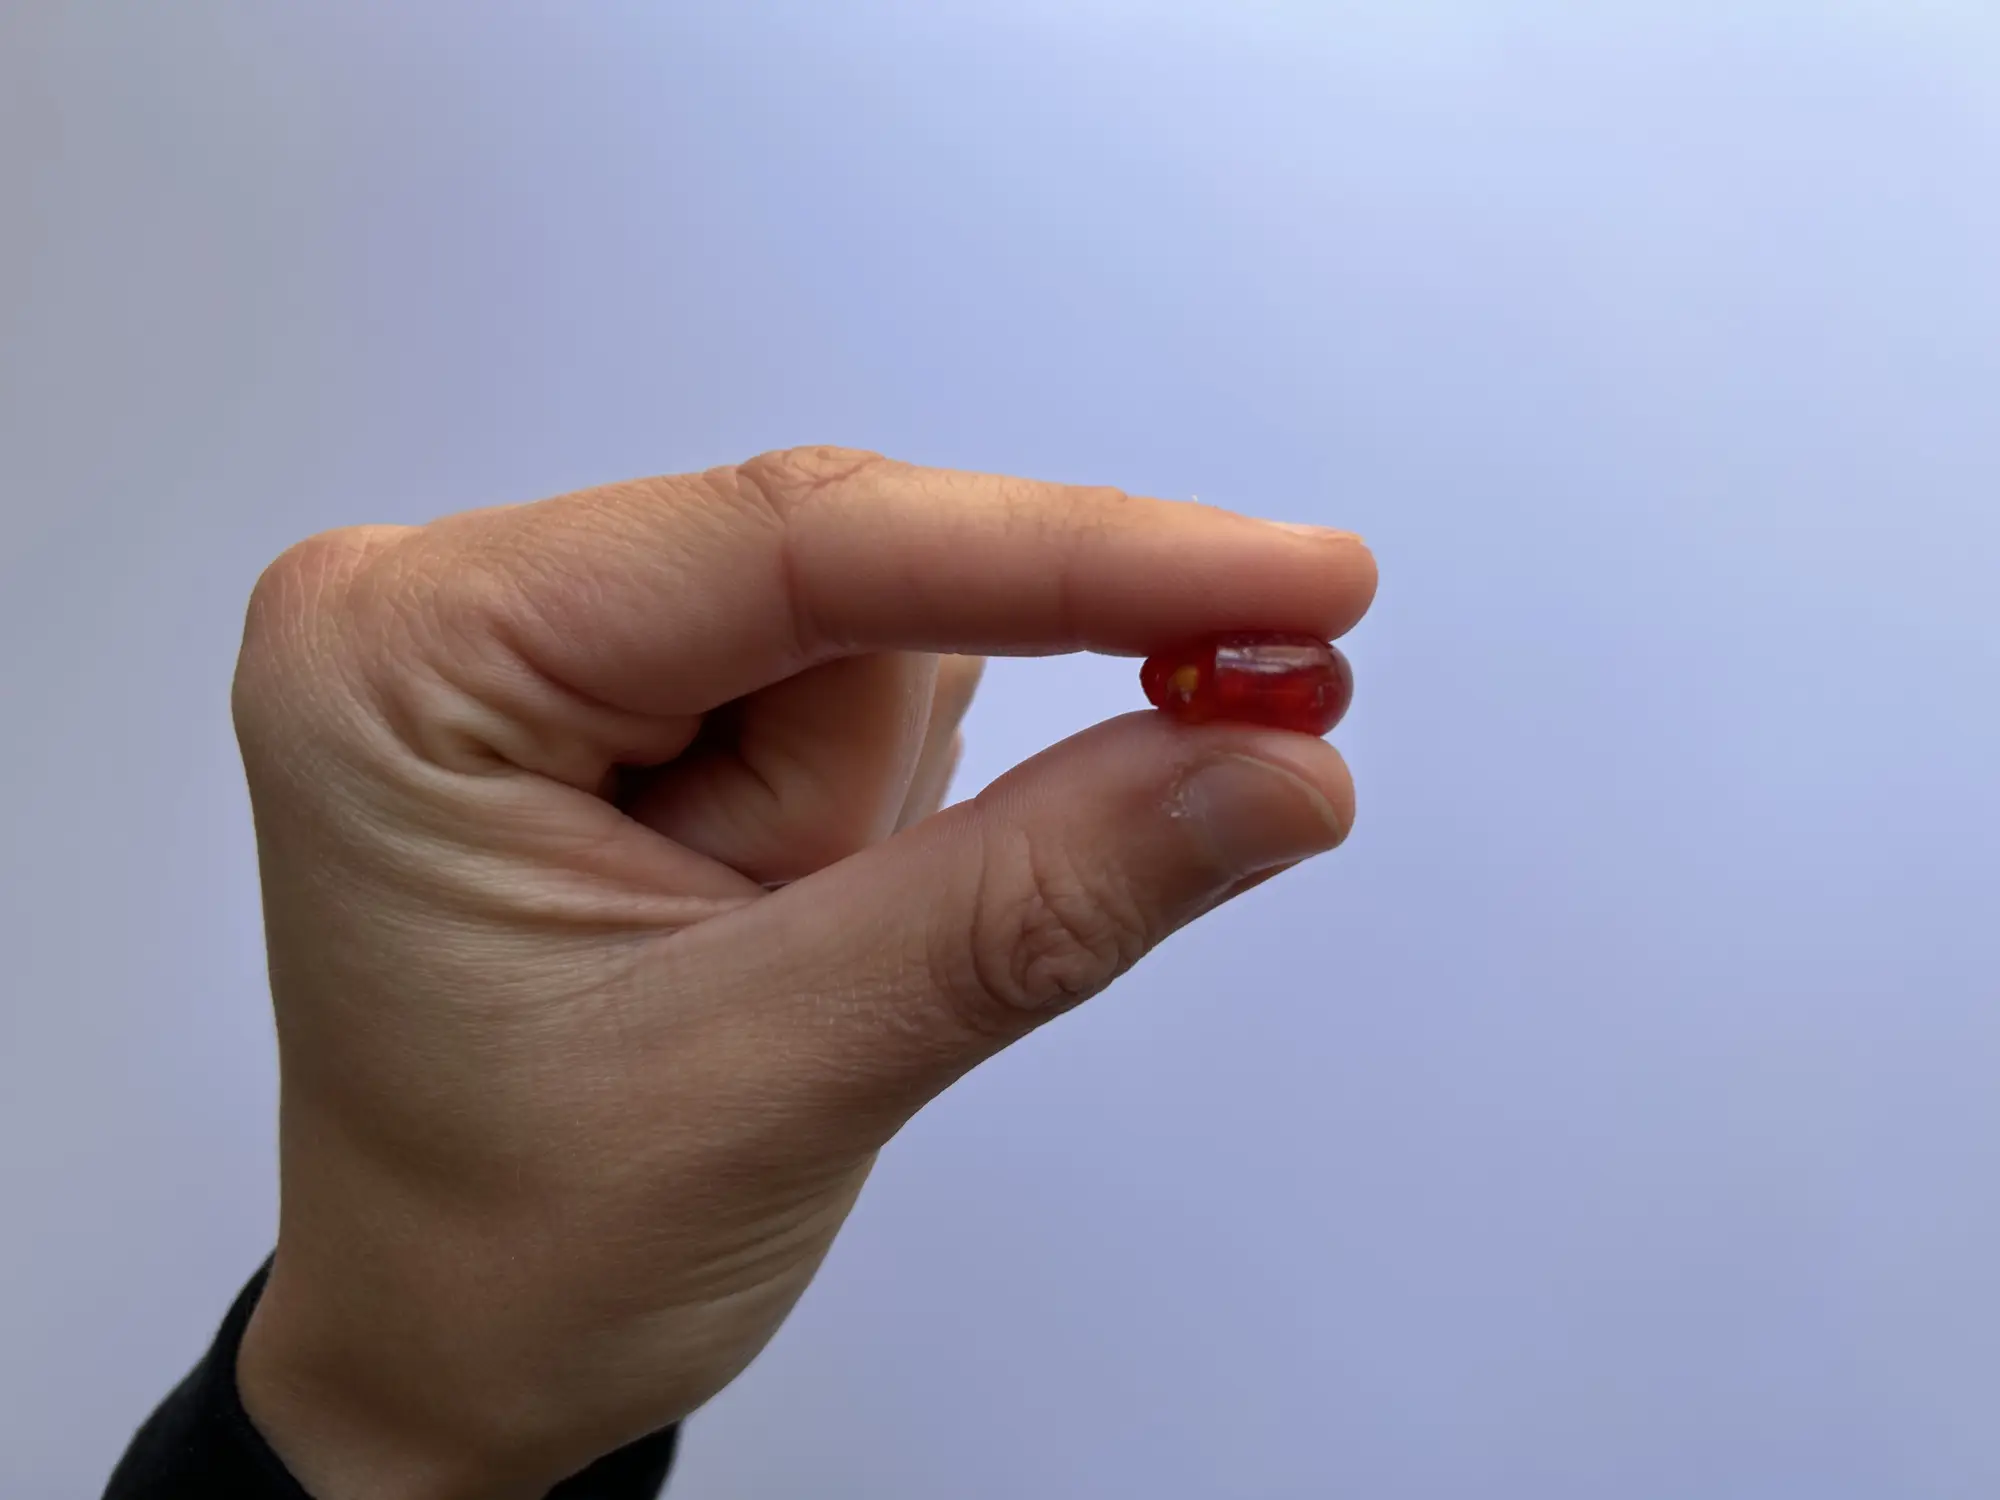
pixel 201 1443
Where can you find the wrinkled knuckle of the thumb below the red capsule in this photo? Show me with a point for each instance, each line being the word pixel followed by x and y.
pixel 1045 935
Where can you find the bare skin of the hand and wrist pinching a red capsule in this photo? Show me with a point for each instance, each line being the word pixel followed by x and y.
pixel 615 925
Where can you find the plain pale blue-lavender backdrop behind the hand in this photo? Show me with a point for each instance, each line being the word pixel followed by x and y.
pixel 1617 1115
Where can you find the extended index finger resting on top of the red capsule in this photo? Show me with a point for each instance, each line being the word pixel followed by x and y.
pixel 671 597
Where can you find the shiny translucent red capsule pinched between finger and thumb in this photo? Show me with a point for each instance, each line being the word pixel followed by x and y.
pixel 1253 677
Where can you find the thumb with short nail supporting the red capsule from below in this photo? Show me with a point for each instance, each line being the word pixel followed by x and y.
pixel 889 975
